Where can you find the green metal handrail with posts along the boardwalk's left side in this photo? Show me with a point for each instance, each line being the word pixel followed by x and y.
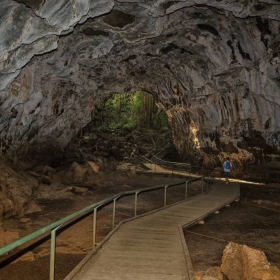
pixel 73 218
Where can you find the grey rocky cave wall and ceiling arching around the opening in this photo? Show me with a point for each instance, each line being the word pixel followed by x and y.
pixel 212 65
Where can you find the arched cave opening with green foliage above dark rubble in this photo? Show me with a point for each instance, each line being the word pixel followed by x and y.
pixel 125 127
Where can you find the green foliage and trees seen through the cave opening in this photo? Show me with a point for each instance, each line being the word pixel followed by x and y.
pixel 130 111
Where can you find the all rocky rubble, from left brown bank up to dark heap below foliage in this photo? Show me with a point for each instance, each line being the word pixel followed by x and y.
pixel 92 160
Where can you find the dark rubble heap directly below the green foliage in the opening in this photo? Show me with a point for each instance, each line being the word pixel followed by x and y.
pixel 120 145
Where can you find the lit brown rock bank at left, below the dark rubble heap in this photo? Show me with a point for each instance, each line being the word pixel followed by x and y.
pixel 21 185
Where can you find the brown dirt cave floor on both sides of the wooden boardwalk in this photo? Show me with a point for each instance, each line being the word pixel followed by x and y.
pixel 254 221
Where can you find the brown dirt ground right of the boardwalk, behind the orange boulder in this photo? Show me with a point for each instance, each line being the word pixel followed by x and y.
pixel 253 221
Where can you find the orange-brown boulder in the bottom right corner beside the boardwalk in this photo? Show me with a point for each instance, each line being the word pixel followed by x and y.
pixel 242 262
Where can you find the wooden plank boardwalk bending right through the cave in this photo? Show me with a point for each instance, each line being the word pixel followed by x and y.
pixel 153 247
